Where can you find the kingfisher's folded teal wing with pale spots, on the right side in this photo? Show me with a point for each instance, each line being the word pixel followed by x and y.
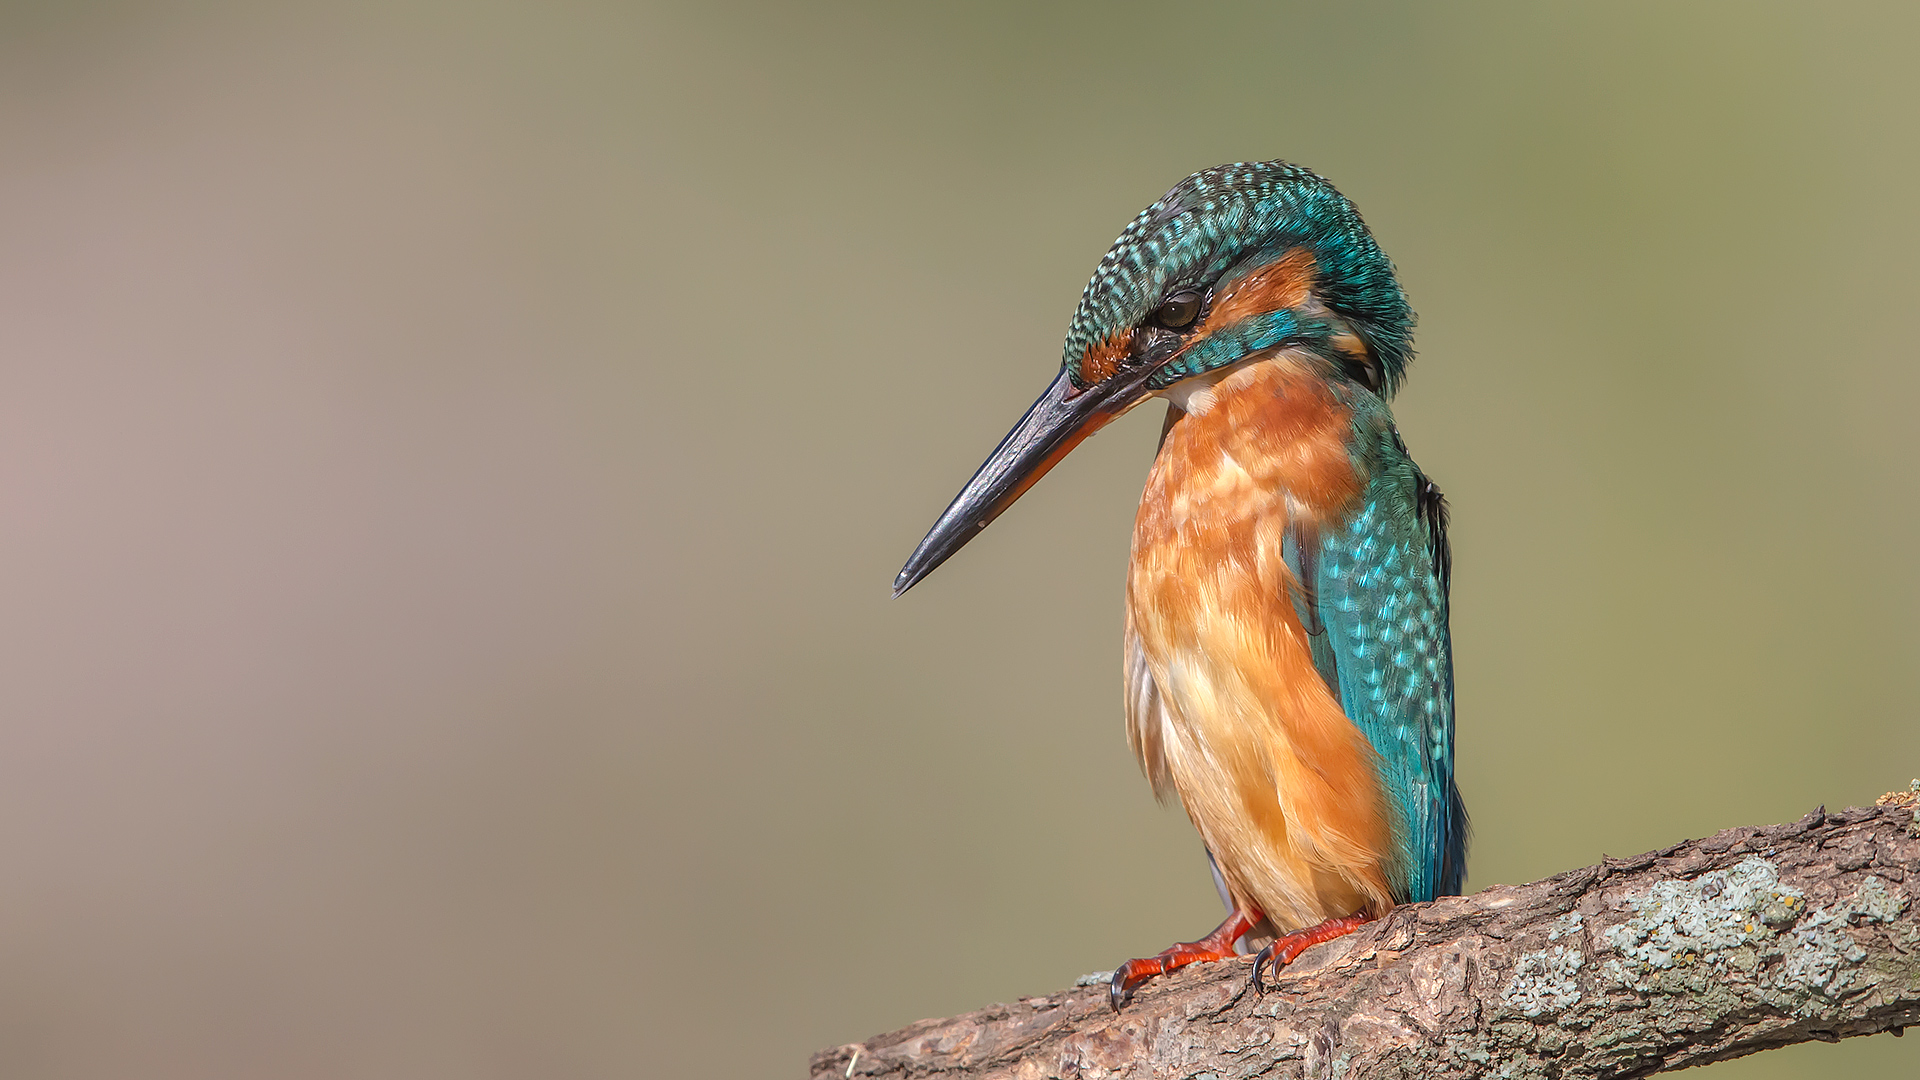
pixel 1376 602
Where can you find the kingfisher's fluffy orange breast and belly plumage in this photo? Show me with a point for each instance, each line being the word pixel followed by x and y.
pixel 1224 700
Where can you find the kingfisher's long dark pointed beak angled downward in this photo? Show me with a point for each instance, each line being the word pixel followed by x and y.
pixel 1055 426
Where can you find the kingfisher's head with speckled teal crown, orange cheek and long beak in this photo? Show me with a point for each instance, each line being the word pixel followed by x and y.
pixel 1236 264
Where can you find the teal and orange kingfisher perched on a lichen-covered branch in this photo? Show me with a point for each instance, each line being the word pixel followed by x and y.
pixel 1287 654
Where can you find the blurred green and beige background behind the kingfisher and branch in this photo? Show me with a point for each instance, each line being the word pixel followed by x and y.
pixel 454 456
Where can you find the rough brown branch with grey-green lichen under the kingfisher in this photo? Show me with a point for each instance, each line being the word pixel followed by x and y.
pixel 1714 948
